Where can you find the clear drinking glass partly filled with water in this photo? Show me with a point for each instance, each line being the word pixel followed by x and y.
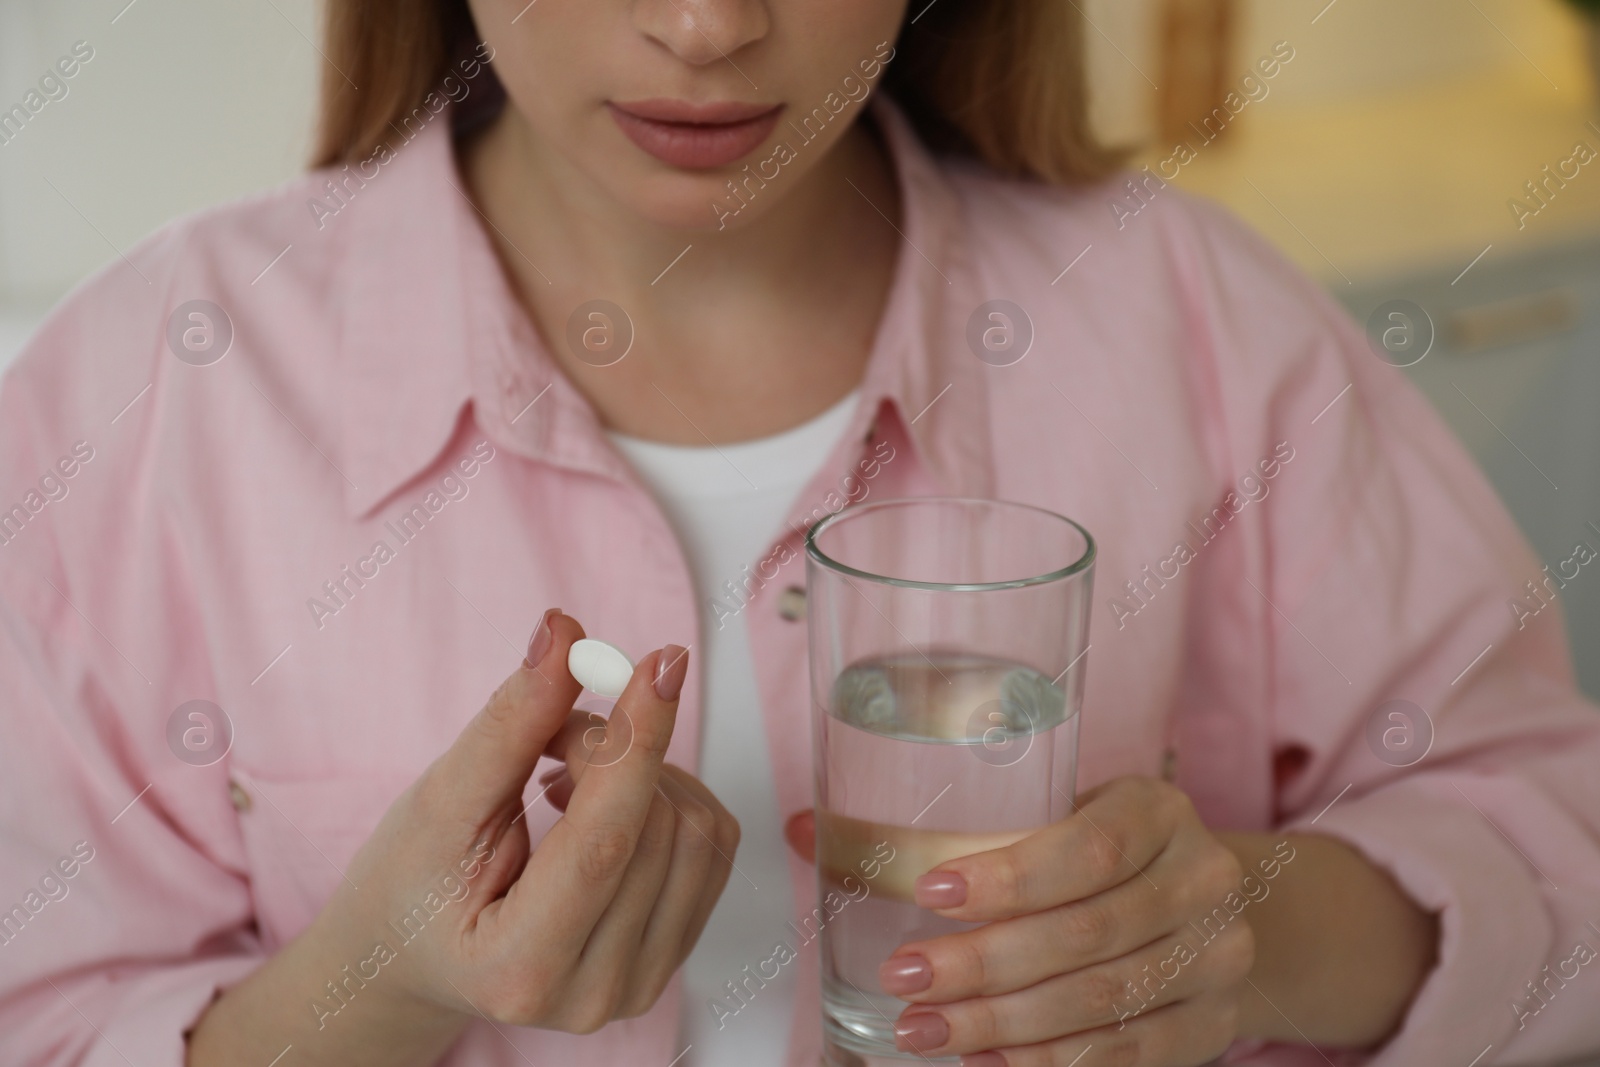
pixel 946 649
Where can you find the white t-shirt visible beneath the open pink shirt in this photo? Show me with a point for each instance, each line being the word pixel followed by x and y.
pixel 727 506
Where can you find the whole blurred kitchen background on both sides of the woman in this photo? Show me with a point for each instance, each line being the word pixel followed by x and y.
pixel 1399 158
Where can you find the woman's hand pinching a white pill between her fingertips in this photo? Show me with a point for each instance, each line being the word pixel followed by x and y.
pixel 585 929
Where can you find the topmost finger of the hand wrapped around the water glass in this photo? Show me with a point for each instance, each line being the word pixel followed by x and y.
pixel 1118 831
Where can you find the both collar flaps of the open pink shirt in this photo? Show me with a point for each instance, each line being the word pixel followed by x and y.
pixel 431 326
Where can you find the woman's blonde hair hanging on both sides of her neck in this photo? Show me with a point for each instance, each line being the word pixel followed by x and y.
pixel 999 81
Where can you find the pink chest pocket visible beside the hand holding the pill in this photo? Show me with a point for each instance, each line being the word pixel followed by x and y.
pixel 300 837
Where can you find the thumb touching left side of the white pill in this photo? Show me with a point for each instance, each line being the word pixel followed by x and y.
pixel 495 754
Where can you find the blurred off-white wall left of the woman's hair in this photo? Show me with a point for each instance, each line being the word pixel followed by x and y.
pixel 185 103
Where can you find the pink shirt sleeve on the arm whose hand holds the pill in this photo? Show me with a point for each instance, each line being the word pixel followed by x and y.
pixel 124 901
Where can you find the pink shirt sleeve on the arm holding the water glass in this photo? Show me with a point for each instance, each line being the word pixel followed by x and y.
pixel 1412 666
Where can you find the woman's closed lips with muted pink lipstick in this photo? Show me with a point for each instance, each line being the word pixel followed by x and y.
pixel 695 137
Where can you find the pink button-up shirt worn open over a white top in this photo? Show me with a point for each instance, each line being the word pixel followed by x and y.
pixel 1289 538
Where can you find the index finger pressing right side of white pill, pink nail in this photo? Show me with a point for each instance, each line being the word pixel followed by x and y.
pixel 583 858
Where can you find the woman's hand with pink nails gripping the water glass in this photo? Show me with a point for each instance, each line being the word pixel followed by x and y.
pixel 1090 938
